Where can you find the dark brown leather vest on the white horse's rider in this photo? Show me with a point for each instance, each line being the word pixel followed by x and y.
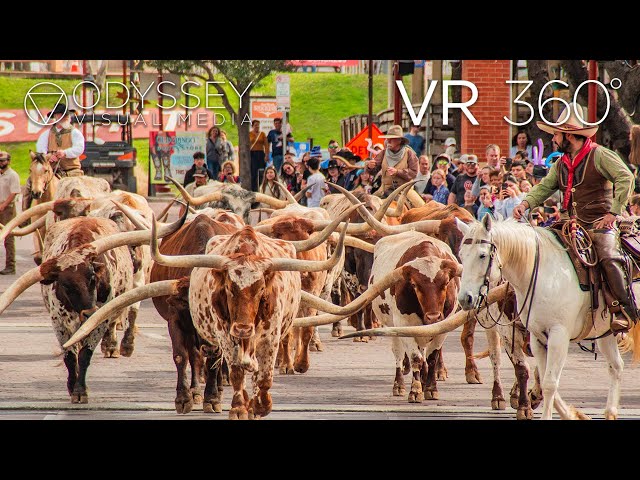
pixel 591 194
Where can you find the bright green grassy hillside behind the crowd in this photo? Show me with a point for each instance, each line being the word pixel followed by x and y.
pixel 318 102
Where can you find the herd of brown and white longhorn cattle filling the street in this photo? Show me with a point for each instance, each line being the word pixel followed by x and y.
pixel 241 297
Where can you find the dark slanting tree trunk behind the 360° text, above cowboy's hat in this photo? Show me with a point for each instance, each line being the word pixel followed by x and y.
pixel 614 130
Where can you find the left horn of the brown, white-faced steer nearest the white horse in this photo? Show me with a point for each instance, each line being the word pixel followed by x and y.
pixel 358 304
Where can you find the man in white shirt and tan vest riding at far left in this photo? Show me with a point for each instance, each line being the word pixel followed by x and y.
pixel 62 144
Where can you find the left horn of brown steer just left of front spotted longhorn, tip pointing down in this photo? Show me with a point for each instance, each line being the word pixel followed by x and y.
pixel 108 310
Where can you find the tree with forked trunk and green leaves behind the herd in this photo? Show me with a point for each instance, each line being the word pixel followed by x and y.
pixel 243 76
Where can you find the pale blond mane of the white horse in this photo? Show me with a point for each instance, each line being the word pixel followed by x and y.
pixel 516 243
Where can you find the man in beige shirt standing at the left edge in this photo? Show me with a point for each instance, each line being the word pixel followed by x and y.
pixel 9 189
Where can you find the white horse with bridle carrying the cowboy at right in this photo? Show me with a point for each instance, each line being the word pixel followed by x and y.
pixel 559 309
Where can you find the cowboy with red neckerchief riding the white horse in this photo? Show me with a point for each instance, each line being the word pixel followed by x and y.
pixel 596 184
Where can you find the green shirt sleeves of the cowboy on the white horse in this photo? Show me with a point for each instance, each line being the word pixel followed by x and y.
pixel 608 164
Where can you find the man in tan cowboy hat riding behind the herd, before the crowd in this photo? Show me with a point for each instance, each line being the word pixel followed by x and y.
pixel 398 163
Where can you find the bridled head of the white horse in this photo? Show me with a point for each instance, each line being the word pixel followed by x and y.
pixel 479 257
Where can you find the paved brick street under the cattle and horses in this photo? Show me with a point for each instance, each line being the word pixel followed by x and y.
pixel 347 381
